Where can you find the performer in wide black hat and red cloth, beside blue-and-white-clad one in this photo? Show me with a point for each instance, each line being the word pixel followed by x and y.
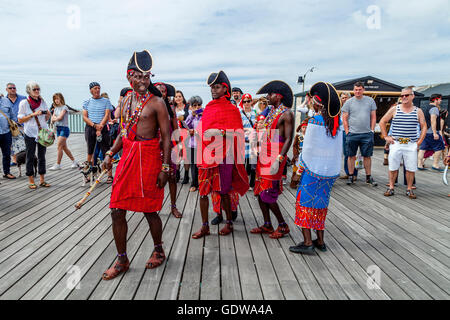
pixel 275 144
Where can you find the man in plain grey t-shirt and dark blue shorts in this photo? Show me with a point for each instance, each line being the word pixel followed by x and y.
pixel 359 117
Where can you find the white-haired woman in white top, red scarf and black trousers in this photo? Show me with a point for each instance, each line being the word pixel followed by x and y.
pixel 34 113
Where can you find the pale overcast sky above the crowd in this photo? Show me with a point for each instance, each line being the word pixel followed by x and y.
pixel 64 45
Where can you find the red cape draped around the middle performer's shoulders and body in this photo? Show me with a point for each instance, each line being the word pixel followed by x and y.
pixel 222 114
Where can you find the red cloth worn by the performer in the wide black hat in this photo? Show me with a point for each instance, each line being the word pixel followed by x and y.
pixel 271 150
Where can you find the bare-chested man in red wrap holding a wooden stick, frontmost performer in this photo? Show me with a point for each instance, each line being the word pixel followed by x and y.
pixel 140 175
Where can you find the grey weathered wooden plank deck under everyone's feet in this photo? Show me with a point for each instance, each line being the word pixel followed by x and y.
pixel 42 238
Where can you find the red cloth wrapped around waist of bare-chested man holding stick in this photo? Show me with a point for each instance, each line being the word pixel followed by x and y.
pixel 134 186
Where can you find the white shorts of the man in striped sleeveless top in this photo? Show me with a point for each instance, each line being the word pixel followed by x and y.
pixel 406 152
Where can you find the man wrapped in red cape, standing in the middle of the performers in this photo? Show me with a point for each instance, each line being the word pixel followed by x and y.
pixel 221 126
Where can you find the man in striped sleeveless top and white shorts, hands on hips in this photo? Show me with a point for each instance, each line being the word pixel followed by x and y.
pixel 403 139
